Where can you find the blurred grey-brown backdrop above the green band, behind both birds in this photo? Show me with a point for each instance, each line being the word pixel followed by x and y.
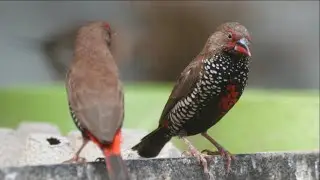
pixel 163 37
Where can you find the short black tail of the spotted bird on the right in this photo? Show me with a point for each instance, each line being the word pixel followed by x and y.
pixel 152 144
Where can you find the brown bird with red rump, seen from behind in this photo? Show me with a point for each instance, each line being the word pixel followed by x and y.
pixel 95 95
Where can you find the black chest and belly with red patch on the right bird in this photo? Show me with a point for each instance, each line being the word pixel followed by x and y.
pixel 219 89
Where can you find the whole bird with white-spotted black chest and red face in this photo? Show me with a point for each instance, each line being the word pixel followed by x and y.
pixel 205 91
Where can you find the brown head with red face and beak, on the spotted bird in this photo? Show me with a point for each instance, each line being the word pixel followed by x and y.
pixel 231 37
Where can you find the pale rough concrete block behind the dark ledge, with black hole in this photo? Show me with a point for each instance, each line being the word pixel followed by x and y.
pixel 42 143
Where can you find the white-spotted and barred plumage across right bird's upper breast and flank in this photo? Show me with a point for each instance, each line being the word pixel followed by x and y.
pixel 216 73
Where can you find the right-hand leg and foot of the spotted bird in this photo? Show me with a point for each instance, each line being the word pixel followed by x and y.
pixel 222 151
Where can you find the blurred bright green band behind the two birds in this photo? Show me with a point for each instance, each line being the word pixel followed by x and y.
pixel 273 120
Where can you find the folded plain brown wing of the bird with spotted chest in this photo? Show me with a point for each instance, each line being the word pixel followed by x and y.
pixel 184 85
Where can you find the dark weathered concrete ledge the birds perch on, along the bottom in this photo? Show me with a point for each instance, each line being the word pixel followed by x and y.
pixel 260 166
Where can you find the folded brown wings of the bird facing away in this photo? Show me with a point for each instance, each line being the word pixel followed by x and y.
pixel 97 101
